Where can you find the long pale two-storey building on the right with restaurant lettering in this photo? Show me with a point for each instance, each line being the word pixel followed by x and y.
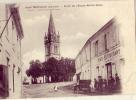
pixel 102 54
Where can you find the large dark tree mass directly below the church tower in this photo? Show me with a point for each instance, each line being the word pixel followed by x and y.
pixel 59 70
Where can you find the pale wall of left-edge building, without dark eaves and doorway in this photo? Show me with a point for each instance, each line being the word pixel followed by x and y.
pixel 11 49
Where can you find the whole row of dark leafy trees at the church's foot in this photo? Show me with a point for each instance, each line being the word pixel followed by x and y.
pixel 58 70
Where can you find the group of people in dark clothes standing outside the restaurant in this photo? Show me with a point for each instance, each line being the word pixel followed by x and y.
pixel 113 83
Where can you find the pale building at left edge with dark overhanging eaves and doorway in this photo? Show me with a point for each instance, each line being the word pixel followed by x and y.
pixel 11 34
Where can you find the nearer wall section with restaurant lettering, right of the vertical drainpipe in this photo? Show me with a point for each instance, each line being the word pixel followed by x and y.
pixel 112 54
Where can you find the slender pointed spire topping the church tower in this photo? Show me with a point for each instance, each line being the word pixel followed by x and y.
pixel 51 27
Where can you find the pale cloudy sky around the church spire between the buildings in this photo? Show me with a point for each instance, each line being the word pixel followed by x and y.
pixel 74 24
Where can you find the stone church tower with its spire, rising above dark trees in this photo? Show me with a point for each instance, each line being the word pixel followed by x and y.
pixel 52 41
